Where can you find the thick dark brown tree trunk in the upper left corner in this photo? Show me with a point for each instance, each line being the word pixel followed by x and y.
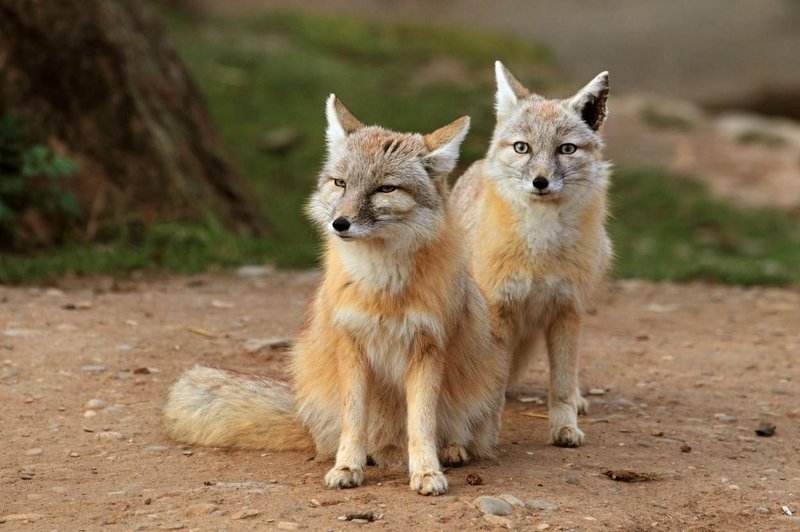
pixel 98 81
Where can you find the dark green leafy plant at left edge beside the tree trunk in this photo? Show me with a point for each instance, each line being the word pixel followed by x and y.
pixel 30 181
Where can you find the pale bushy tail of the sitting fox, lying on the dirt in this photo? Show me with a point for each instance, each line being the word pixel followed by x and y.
pixel 223 408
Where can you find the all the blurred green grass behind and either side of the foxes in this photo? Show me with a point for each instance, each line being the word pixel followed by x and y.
pixel 273 73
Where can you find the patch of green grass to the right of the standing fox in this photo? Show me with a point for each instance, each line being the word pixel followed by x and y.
pixel 667 227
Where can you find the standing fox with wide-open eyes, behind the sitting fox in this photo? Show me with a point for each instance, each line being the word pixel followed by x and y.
pixel 534 212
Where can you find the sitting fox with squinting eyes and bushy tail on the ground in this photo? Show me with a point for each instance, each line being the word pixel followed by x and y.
pixel 396 363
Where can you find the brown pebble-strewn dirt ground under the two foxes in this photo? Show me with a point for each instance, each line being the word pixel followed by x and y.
pixel 684 374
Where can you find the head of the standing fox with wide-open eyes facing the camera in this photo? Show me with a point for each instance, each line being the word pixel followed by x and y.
pixel 548 150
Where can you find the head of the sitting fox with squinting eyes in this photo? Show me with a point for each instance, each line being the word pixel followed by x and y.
pixel 379 185
